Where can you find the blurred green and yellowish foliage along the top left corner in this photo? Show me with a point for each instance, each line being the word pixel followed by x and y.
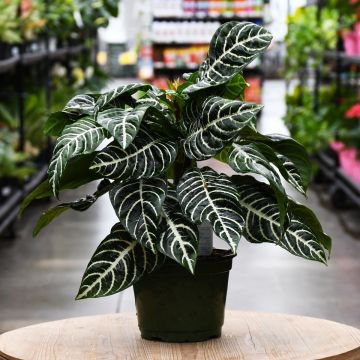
pixel 59 18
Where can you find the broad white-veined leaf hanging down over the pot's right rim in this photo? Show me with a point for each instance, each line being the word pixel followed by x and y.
pixel 206 196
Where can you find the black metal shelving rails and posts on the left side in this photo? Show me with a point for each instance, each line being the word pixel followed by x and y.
pixel 17 67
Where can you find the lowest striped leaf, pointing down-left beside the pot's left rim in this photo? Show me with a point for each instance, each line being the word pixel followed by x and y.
pixel 118 262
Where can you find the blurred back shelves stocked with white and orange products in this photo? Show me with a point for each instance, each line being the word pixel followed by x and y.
pixel 182 30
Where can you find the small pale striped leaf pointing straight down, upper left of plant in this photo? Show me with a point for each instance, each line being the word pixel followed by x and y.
pixel 123 125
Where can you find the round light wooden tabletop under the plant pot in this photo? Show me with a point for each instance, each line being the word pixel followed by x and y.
pixel 246 335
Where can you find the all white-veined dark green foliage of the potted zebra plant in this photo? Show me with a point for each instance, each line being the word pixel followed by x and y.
pixel 142 145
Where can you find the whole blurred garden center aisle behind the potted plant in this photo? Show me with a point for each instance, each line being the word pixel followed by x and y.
pixel 308 80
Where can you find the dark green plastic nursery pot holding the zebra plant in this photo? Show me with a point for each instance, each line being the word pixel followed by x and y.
pixel 175 306
